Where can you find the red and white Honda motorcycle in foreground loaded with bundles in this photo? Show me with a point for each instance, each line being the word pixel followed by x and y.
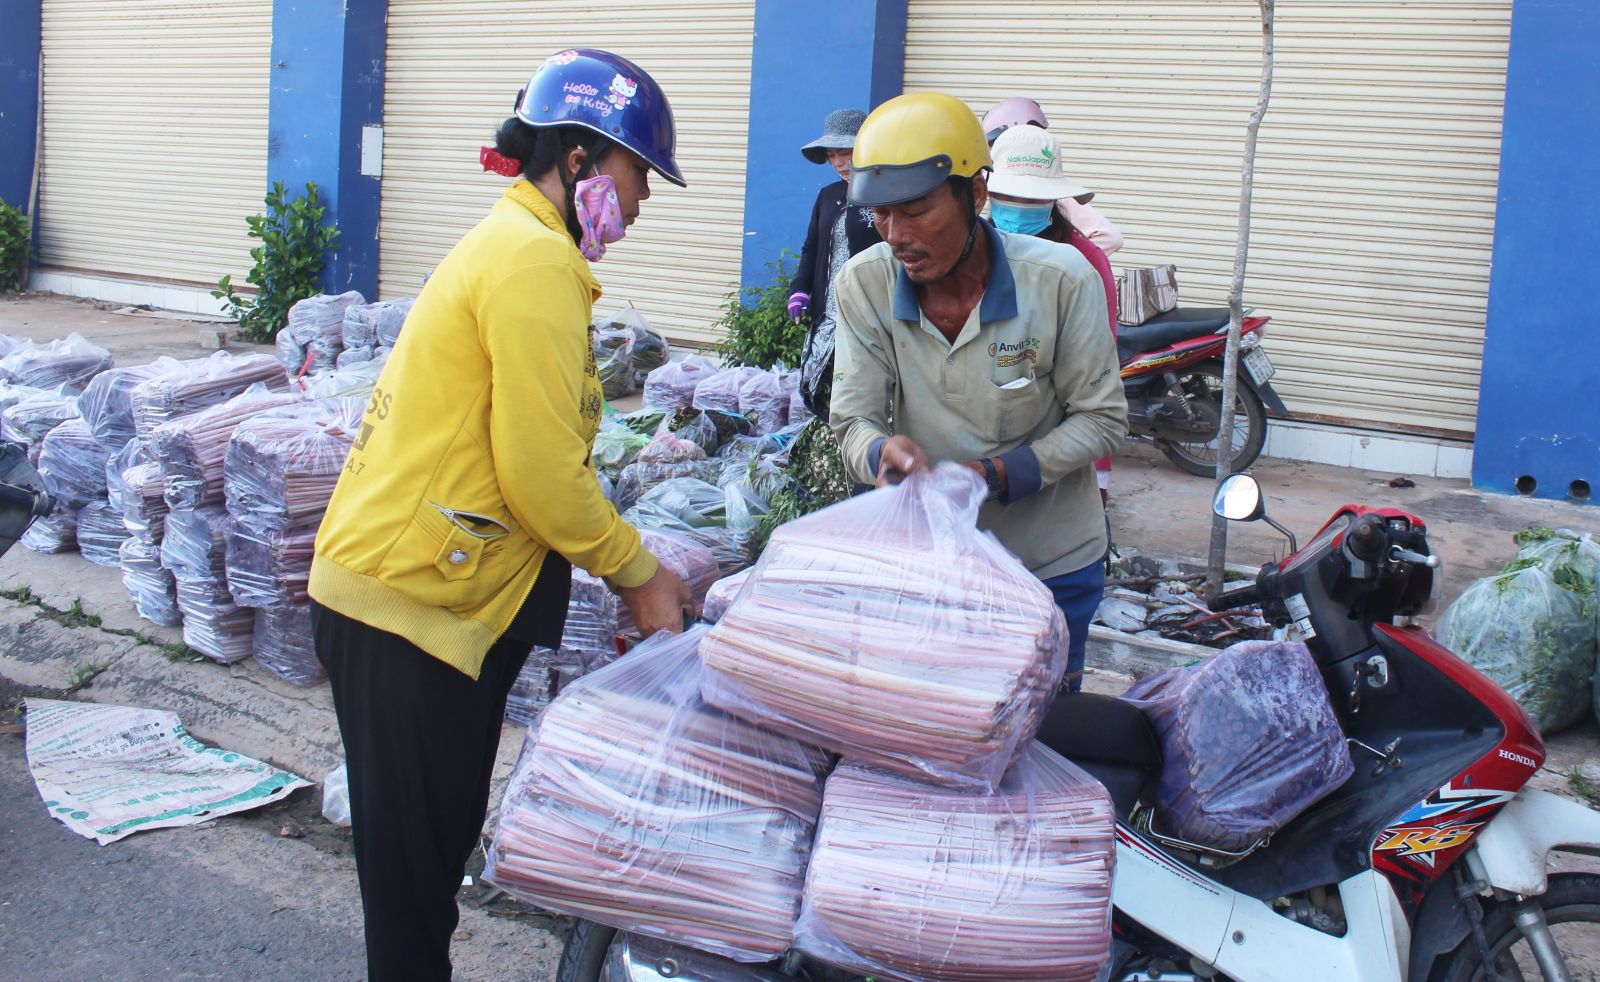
pixel 1430 864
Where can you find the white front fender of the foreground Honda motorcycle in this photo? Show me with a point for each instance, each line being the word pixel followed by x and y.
pixel 1514 850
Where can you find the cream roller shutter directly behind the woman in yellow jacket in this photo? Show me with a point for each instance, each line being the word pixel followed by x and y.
pixel 452 76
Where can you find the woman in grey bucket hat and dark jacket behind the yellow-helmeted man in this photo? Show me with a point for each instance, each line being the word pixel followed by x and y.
pixel 838 233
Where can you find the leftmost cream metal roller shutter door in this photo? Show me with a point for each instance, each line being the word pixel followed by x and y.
pixel 156 135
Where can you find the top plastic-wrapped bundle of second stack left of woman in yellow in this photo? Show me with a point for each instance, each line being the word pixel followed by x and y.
pixel 191 449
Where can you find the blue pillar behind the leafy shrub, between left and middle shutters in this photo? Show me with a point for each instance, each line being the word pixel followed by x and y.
pixel 327 87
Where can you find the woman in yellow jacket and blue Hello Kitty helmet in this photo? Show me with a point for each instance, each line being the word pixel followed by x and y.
pixel 470 493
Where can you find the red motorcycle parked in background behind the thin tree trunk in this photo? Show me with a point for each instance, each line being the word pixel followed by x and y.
pixel 1172 373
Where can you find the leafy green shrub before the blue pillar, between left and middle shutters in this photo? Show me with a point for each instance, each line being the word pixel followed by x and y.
pixel 289 261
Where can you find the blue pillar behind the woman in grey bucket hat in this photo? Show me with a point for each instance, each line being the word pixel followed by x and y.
pixel 809 60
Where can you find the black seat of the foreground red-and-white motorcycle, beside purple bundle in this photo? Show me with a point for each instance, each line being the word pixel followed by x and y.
pixel 1108 738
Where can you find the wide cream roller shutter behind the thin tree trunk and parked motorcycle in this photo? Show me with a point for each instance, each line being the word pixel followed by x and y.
pixel 1375 175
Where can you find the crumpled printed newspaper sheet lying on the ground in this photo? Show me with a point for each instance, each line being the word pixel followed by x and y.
pixel 108 772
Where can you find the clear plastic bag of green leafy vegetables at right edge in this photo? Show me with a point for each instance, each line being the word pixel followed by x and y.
pixel 1534 634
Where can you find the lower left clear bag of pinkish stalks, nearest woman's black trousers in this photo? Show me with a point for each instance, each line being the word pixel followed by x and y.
pixel 638 805
